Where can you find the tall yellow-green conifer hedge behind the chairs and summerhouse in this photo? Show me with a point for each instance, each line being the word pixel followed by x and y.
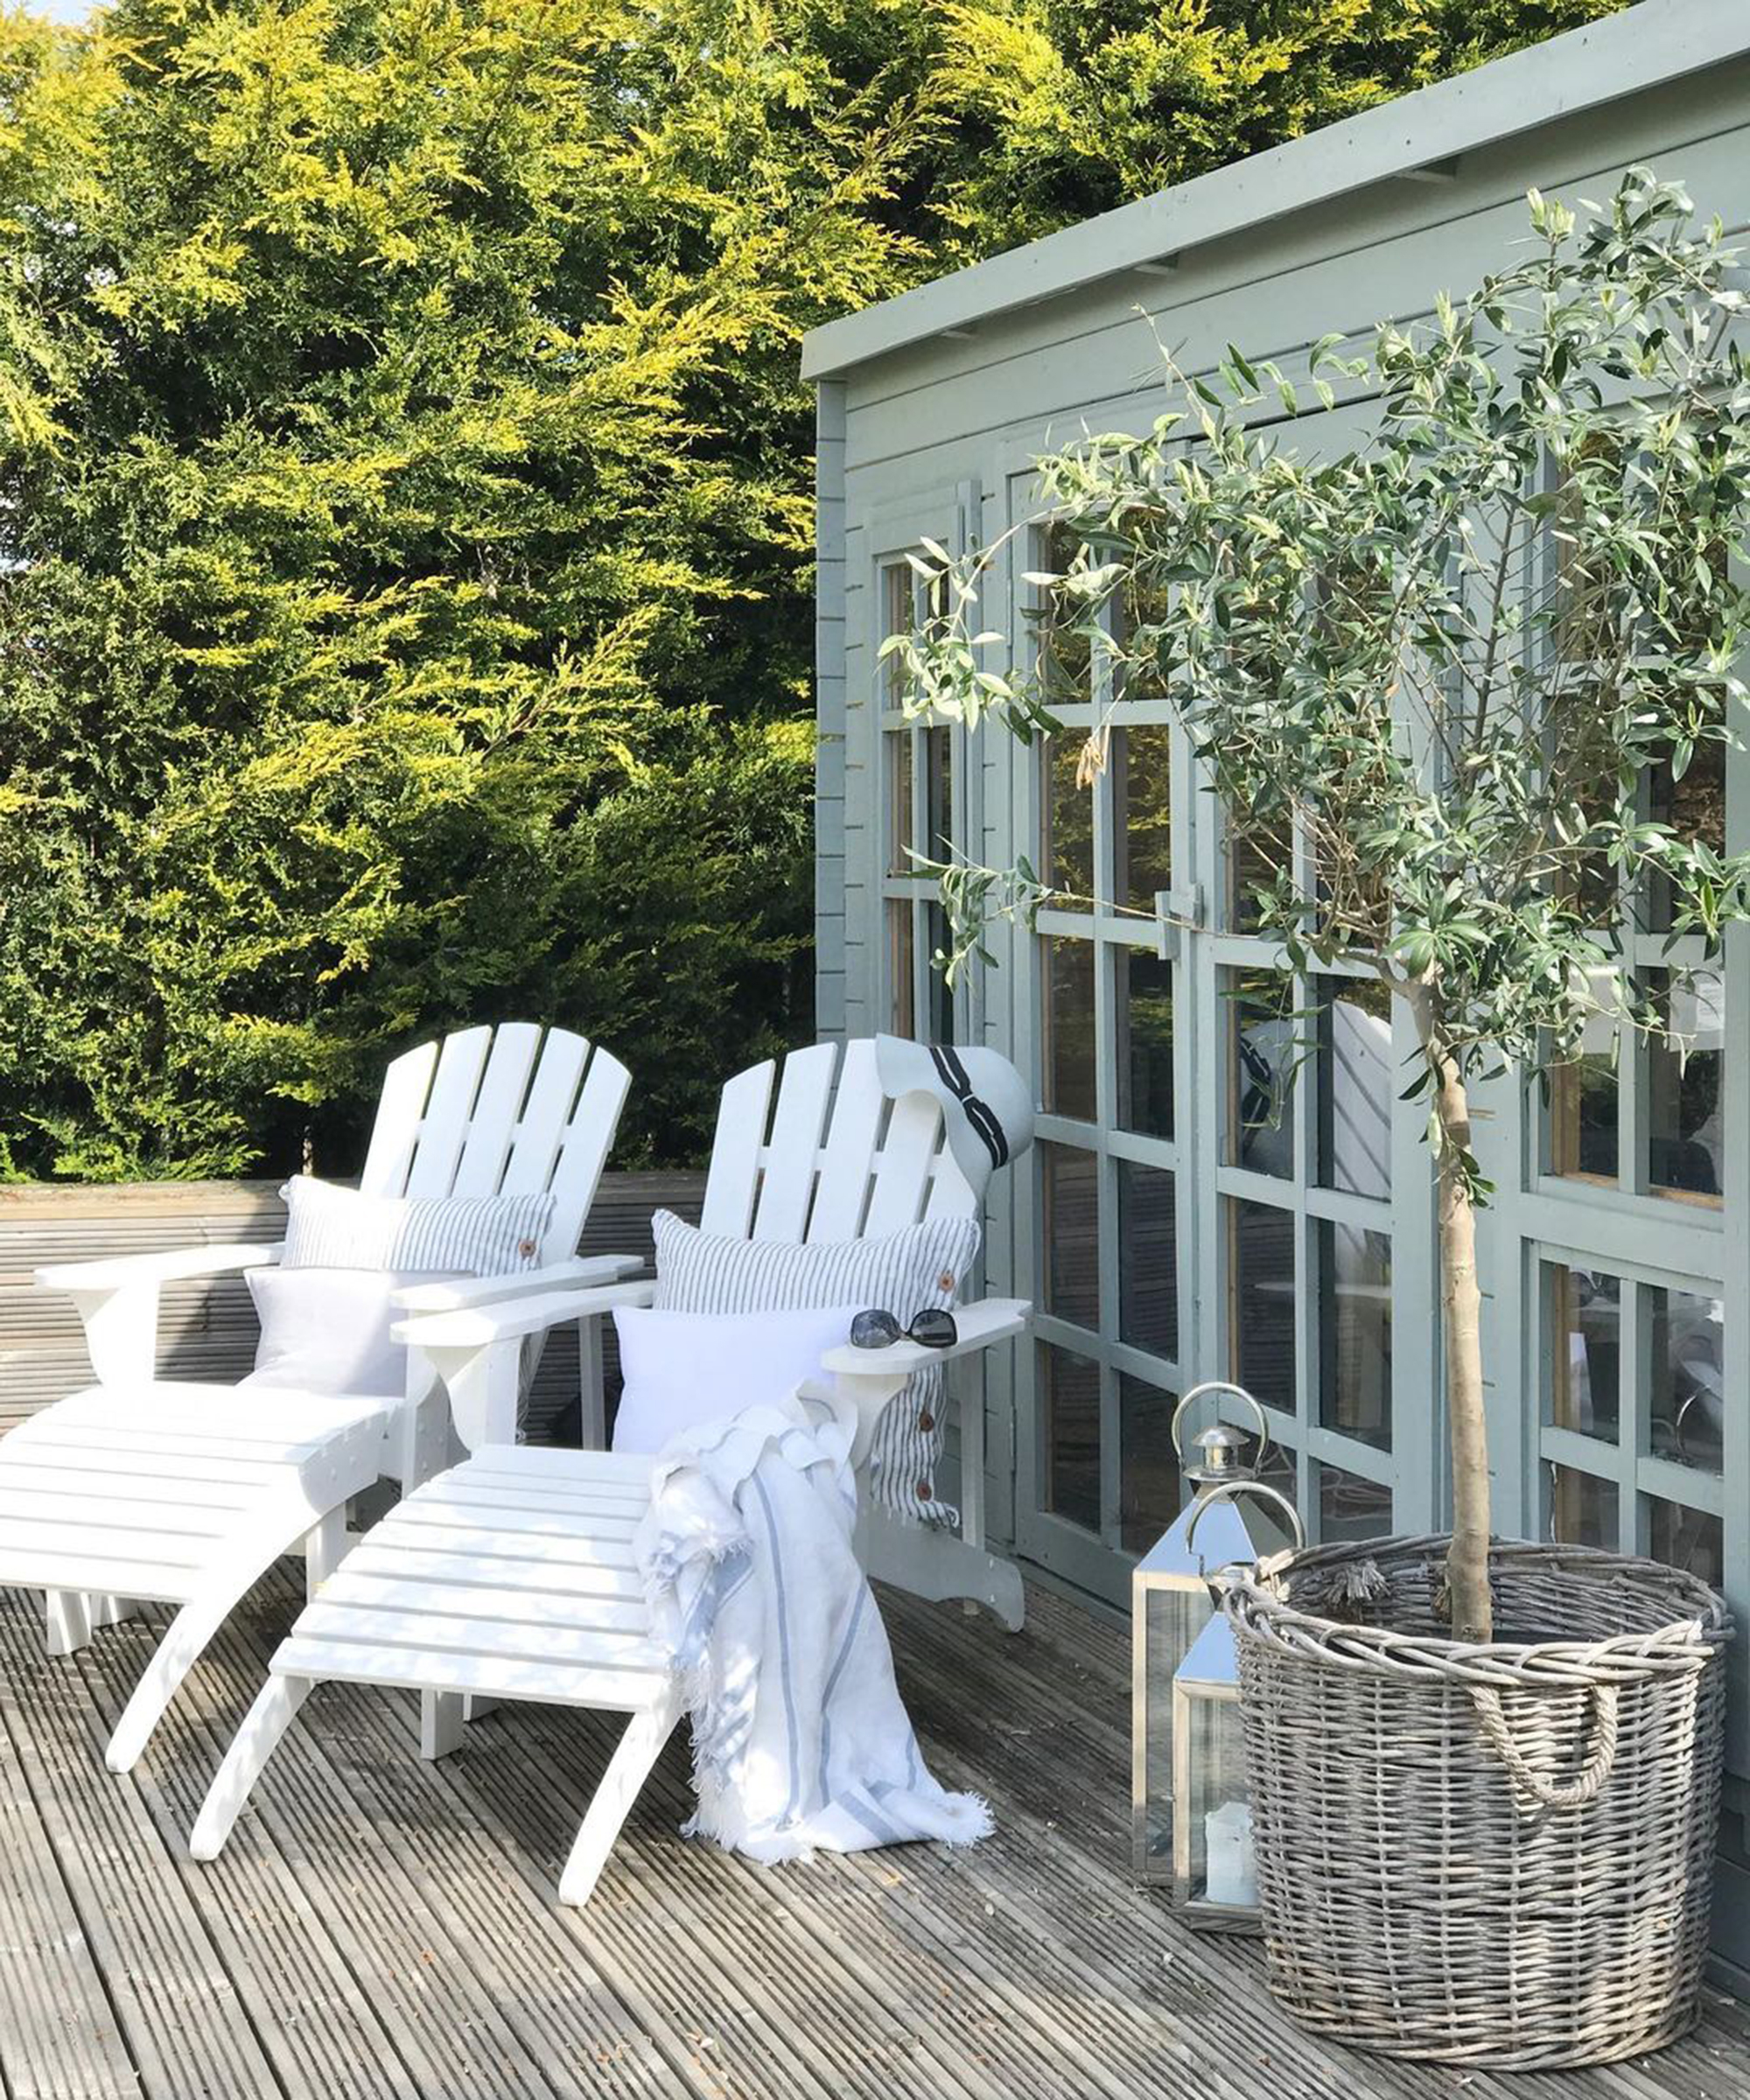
pixel 404 501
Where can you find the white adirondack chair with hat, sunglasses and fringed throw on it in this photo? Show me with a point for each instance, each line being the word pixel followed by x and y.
pixel 514 1576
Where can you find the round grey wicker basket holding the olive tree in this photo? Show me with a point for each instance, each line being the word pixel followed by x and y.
pixel 1495 1855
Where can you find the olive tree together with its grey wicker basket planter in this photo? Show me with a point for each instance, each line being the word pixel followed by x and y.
pixel 1444 665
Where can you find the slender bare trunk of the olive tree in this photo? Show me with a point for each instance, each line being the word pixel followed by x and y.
pixel 1467 1570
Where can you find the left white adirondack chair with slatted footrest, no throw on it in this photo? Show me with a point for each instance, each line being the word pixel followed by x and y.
pixel 184 1494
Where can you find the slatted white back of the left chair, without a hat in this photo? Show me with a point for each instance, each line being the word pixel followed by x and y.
pixel 501 1112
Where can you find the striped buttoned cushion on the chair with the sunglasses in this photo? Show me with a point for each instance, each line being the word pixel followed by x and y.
pixel 902 1274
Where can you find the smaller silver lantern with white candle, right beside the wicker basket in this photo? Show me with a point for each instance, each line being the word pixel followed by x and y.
pixel 1213 1881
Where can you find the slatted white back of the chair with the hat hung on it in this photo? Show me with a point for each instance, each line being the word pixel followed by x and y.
pixel 829 1164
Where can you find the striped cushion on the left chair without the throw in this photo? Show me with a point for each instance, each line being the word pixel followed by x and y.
pixel 491 1236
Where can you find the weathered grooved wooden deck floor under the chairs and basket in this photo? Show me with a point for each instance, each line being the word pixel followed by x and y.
pixel 386 1931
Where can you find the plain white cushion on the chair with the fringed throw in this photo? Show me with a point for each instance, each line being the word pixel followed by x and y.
pixel 688 1368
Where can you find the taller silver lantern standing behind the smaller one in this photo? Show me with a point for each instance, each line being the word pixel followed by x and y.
pixel 1171 1603
